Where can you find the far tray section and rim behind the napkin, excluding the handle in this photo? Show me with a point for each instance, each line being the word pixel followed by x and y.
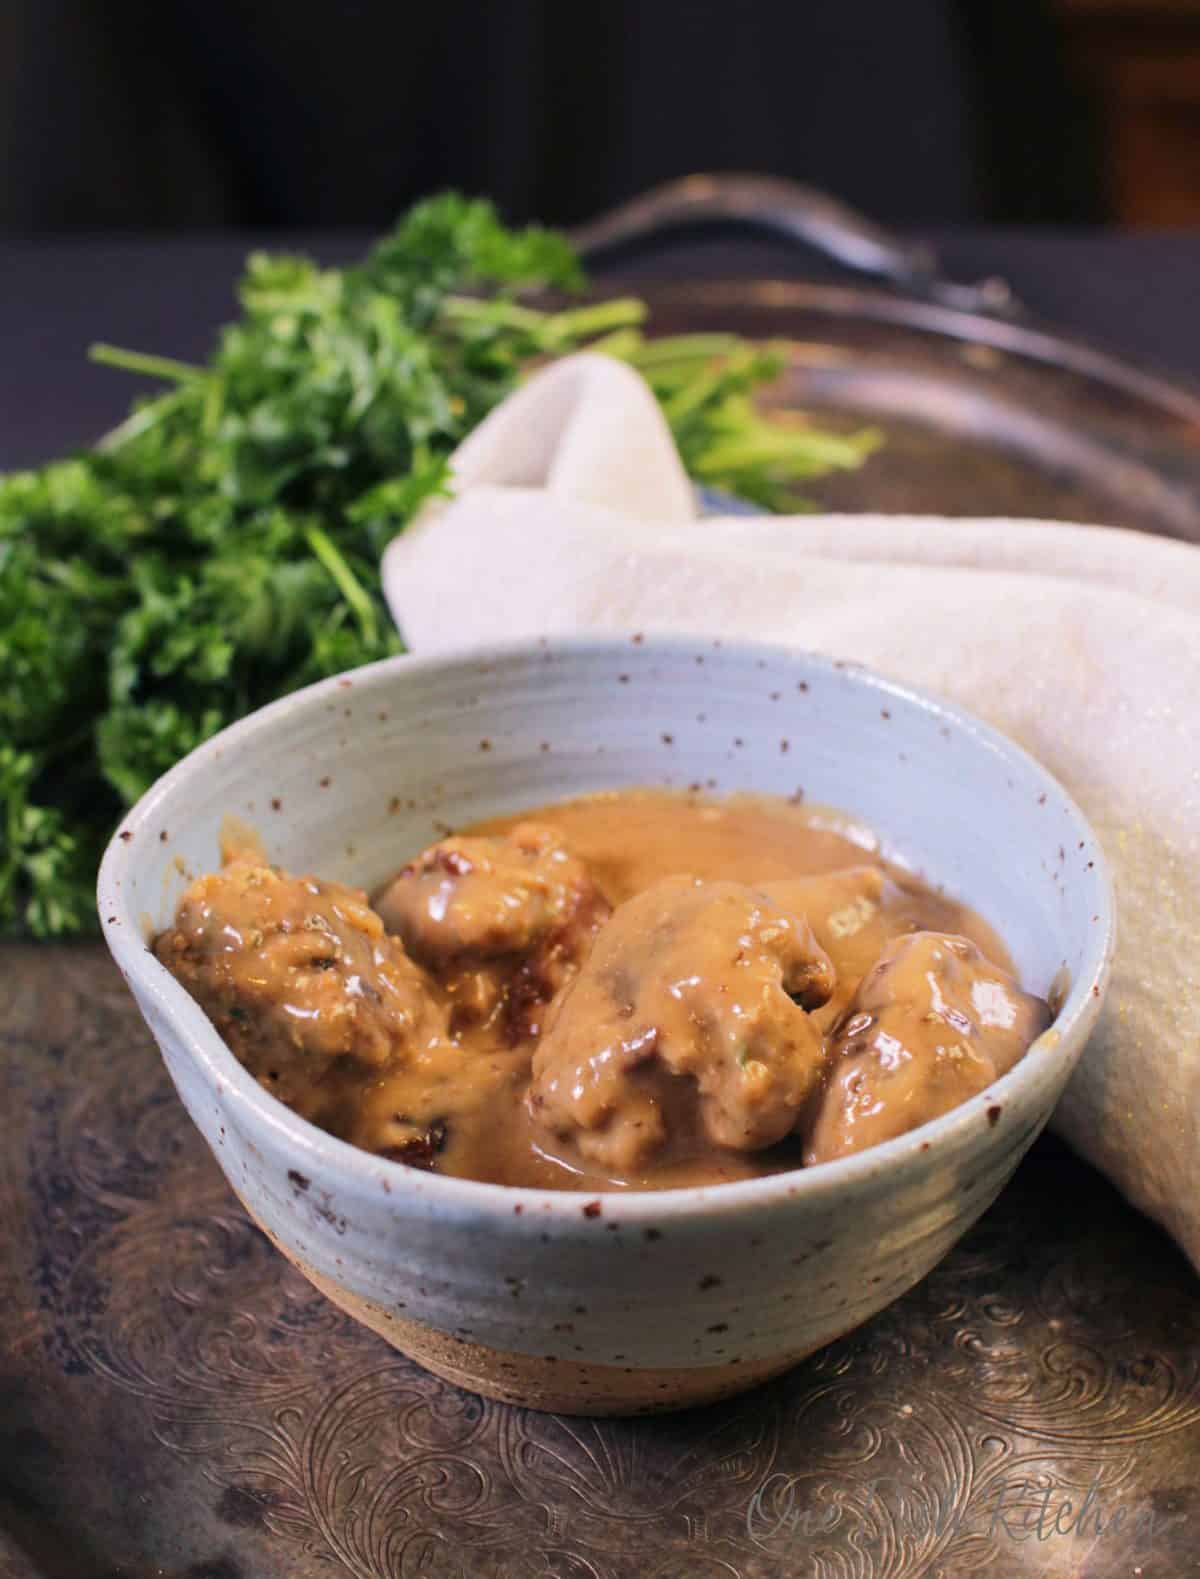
pixel 972 427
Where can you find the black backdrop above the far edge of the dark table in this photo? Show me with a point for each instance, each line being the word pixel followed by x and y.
pixel 279 113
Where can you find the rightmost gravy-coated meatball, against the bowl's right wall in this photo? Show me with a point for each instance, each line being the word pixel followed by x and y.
pixel 932 1024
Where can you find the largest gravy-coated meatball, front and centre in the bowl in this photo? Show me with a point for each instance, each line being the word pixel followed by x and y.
pixel 684 1029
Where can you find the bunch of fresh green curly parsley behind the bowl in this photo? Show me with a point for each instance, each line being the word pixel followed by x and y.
pixel 222 547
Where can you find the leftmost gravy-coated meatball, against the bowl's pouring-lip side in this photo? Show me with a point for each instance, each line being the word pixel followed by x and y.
pixel 302 981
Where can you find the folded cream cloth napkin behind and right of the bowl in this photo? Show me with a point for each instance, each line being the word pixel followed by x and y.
pixel 574 514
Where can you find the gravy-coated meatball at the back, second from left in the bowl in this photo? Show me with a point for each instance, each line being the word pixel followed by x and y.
pixel 501 923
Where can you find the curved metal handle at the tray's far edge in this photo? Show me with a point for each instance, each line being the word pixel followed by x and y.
pixel 797 214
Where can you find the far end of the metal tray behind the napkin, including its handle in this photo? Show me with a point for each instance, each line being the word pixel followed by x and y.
pixel 984 410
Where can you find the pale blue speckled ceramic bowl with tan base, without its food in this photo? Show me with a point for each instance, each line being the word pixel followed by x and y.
pixel 643 1300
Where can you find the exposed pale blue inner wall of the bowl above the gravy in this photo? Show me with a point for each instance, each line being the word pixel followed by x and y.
pixel 353 776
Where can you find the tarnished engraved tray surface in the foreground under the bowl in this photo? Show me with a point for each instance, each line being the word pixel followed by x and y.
pixel 178 1401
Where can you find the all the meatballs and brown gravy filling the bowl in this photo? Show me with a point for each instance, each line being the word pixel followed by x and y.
pixel 637 989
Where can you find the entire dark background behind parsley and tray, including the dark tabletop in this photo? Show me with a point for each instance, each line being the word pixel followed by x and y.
pixel 144 148
